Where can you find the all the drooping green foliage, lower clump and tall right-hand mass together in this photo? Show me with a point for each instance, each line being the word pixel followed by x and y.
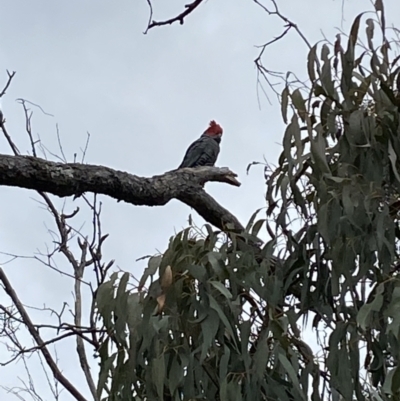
pixel 219 317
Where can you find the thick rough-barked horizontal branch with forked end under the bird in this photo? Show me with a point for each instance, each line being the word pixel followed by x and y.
pixel 73 179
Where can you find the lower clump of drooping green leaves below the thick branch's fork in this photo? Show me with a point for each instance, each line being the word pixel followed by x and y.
pixel 214 330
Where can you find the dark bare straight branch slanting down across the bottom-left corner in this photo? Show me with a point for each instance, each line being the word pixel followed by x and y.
pixel 38 339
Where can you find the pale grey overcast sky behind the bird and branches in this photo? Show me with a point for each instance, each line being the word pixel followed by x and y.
pixel 144 99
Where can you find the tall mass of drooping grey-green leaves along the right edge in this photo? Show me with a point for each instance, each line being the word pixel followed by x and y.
pixel 340 178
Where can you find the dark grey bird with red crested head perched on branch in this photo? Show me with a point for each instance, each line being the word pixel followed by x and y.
pixel 204 151
